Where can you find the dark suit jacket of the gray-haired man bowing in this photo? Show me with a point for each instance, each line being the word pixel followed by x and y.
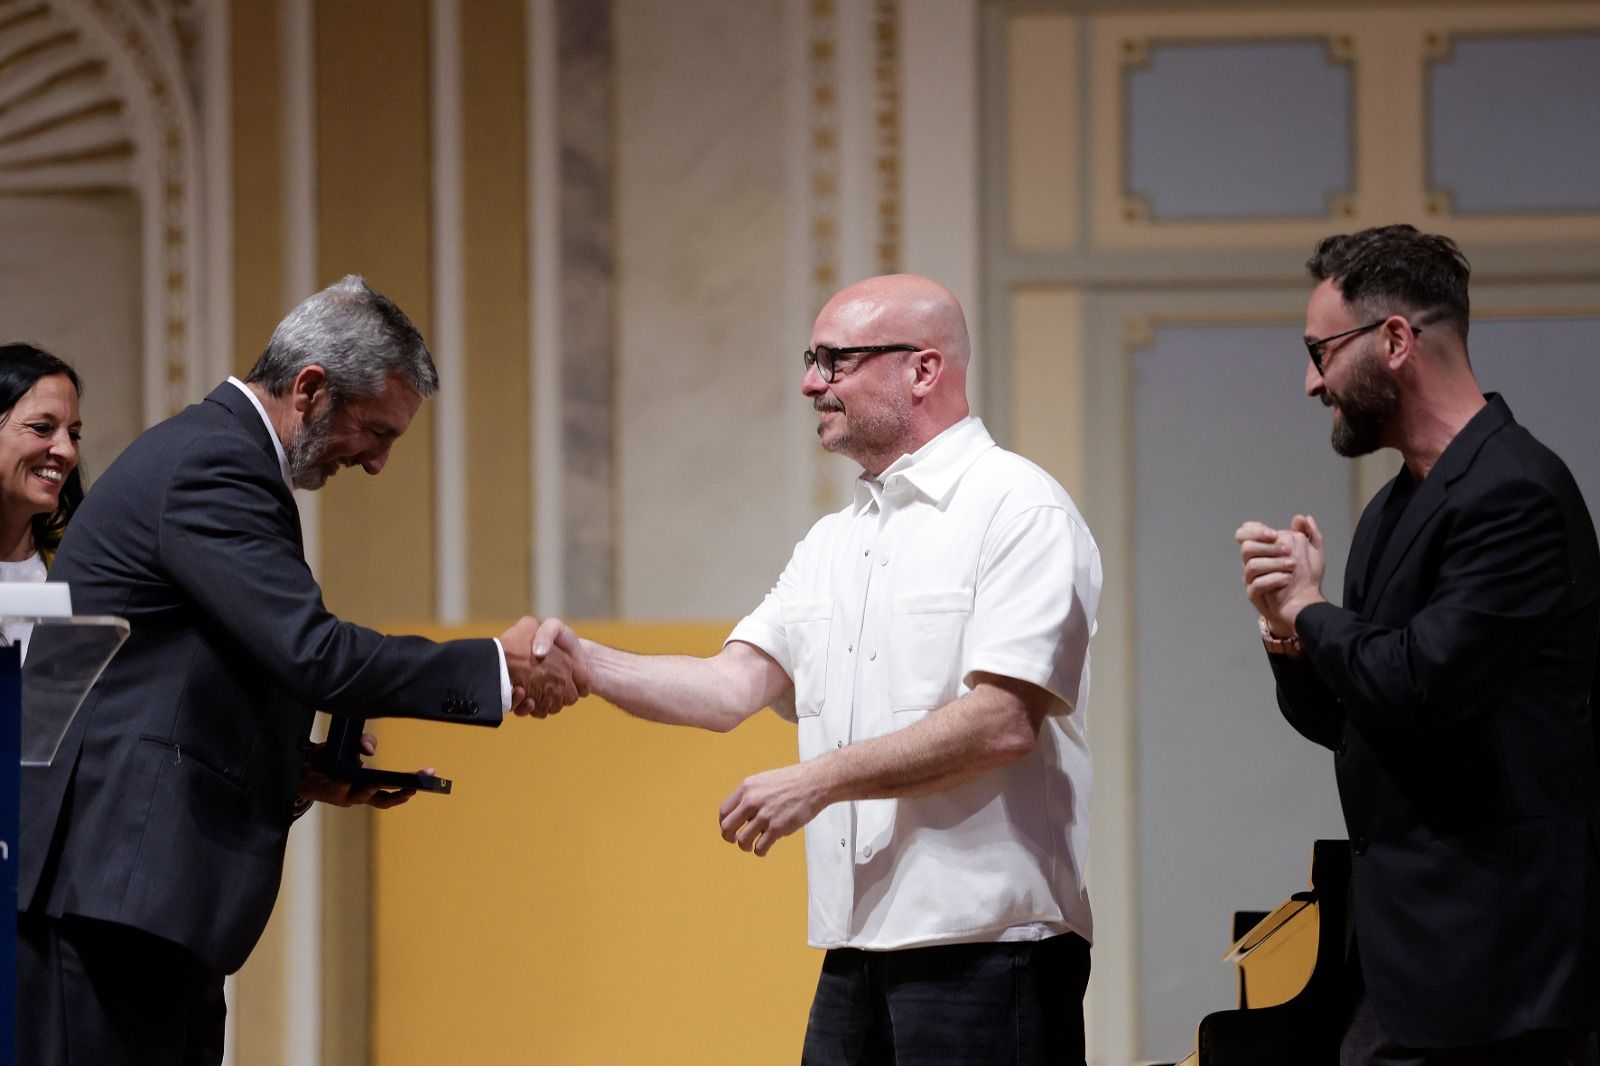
pixel 170 801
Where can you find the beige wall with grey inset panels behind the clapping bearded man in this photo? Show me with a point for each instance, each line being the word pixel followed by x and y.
pixel 1110 300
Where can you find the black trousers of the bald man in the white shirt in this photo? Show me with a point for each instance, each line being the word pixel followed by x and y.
pixel 983 1004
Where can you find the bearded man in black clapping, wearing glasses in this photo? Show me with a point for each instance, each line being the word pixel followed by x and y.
pixel 1454 686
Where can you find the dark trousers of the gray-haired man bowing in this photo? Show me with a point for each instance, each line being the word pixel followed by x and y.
pixel 102 995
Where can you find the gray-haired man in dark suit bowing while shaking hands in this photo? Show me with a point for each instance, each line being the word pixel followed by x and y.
pixel 153 848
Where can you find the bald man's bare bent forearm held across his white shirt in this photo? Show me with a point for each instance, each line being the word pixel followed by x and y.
pixel 982 731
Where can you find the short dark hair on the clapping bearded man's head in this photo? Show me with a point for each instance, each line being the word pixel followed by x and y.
pixel 1388 265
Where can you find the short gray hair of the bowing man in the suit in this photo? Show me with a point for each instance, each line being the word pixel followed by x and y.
pixel 356 335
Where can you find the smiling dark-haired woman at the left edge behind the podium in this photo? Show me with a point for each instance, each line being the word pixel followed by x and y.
pixel 39 462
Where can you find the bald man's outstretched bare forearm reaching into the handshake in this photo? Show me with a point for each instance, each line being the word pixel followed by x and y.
pixel 676 689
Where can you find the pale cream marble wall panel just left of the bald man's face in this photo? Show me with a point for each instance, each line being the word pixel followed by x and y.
pixel 710 361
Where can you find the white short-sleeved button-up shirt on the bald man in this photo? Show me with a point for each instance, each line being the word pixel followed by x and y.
pixel 959 559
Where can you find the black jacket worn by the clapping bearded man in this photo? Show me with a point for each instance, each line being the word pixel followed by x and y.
pixel 1455 694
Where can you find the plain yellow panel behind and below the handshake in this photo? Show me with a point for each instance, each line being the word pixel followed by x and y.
pixel 574 902
